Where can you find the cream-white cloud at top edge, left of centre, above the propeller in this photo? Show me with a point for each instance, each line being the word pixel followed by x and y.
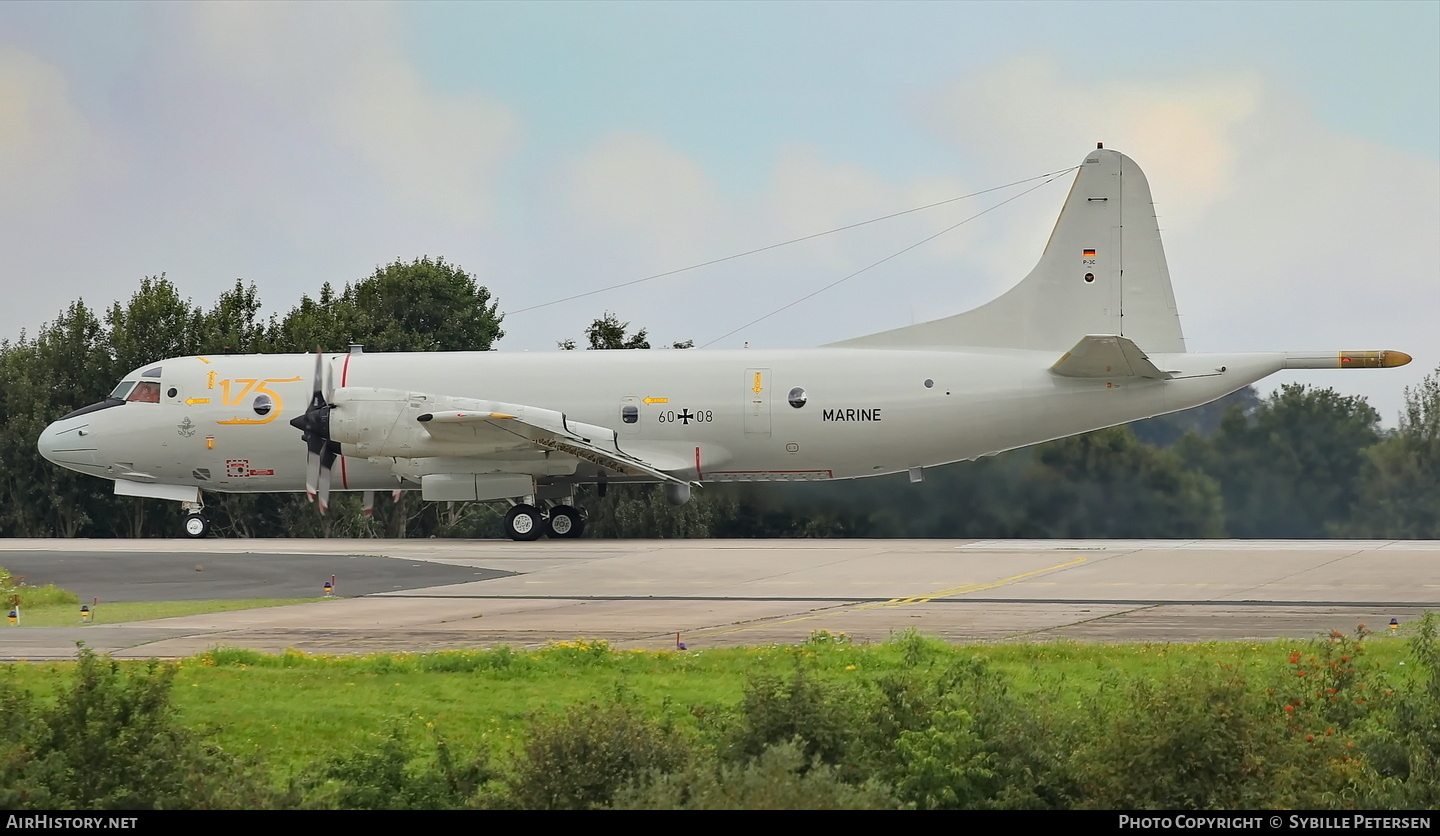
pixel 342 70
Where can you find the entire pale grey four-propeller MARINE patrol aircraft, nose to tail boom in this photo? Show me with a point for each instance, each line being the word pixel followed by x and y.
pixel 1089 339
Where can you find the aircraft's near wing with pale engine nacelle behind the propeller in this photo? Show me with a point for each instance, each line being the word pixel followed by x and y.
pixel 415 425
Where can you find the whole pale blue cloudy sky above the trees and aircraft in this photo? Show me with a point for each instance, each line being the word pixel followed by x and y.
pixel 557 149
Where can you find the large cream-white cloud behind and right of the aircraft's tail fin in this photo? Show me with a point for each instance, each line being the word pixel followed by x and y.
pixel 1281 232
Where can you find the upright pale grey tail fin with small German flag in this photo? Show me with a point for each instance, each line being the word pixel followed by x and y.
pixel 1102 273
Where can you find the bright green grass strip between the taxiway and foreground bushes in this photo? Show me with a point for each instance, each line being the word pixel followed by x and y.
pixel 294 707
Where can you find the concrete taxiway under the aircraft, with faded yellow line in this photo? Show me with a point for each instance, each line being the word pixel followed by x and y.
pixel 441 595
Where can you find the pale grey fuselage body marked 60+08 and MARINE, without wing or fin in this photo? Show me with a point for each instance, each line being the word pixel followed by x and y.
pixel 698 414
